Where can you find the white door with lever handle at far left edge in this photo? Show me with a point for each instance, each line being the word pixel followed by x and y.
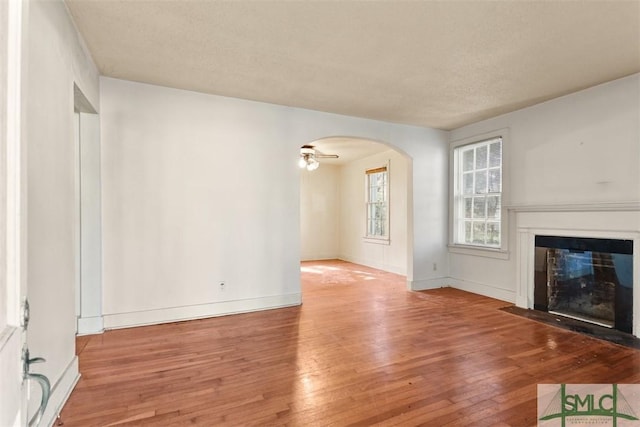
pixel 13 309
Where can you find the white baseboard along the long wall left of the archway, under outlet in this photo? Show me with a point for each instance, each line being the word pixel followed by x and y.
pixel 174 314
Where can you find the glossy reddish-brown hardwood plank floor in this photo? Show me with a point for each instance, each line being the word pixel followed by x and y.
pixel 361 350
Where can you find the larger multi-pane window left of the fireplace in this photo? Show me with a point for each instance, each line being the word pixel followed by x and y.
pixel 478 193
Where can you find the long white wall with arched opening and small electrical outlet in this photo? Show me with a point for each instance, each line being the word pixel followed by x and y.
pixel 200 188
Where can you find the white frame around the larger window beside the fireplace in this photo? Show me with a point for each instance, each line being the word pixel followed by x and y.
pixel 455 200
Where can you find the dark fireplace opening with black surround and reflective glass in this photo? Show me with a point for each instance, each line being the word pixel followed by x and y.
pixel 586 279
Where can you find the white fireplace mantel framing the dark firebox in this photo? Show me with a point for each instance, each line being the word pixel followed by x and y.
pixel 624 224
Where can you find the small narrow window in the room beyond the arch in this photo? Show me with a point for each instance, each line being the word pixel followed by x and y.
pixel 377 203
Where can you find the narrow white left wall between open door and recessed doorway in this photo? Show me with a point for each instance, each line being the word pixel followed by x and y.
pixel 56 60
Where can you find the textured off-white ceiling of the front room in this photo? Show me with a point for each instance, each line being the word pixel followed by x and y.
pixel 440 64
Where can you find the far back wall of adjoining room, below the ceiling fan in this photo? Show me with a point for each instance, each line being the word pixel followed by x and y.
pixel 319 212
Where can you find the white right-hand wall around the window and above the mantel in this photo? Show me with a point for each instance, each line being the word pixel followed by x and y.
pixel 579 152
